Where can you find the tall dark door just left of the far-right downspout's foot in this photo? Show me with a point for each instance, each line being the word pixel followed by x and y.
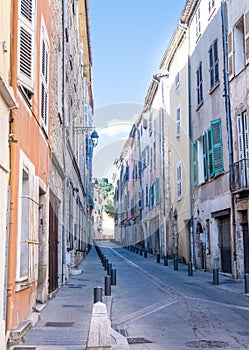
pixel 225 244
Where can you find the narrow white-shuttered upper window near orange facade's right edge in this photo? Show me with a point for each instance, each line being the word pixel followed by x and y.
pixel 44 76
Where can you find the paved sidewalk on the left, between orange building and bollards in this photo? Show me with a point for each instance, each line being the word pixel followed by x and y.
pixel 64 322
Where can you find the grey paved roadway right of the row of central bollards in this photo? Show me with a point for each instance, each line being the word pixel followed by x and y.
pixel 173 310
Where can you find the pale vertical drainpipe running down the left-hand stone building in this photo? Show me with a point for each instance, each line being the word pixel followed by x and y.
pixel 64 226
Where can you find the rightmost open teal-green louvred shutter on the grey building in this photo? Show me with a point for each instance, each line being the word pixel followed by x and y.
pixel 217 146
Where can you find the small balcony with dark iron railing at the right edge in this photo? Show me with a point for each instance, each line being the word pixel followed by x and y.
pixel 241 176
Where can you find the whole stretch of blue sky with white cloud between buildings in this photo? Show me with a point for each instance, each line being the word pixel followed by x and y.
pixel 128 39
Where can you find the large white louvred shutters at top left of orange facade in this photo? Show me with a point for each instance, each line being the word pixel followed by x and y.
pixel 26 27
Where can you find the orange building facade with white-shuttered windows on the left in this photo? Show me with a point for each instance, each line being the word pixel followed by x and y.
pixel 29 153
